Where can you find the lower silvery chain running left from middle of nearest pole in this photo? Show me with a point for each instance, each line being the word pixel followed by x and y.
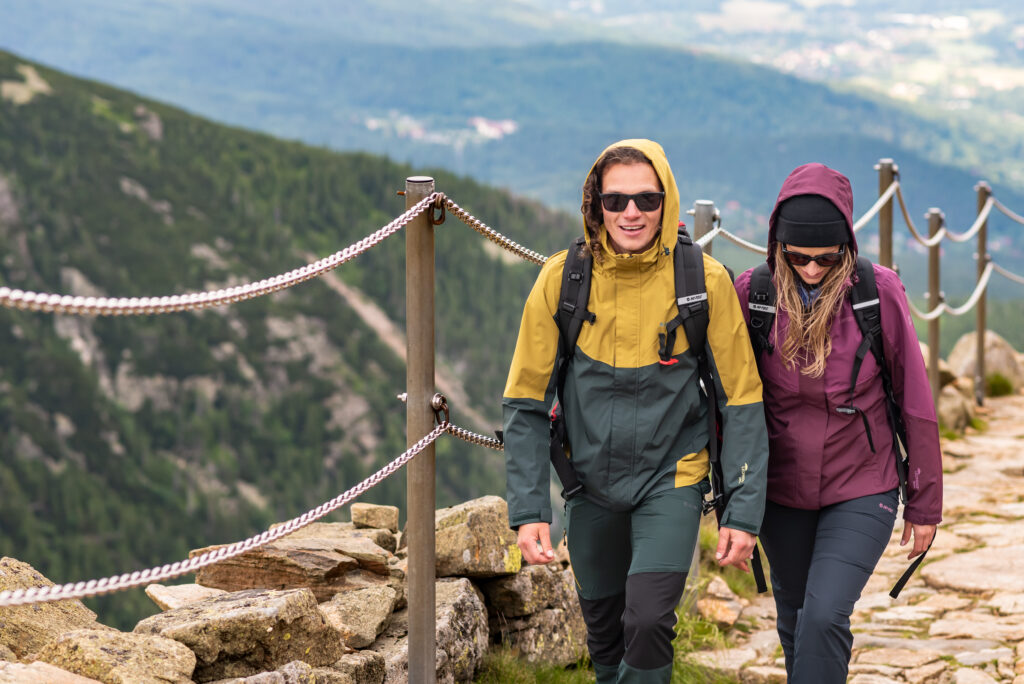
pixel 130 580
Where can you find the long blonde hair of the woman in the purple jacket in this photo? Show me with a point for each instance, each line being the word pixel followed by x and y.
pixel 807 341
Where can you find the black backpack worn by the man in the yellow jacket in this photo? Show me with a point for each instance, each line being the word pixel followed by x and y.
pixel 693 317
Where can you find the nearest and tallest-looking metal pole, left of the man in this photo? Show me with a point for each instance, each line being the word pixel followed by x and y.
pixel 419 421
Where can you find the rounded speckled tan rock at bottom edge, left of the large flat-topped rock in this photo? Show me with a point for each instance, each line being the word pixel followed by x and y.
pixel 115 658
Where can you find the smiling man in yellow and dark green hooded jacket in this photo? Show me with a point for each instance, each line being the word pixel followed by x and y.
pixel 636 423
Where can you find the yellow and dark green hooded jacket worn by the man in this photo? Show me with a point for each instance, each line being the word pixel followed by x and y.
pixel 636 427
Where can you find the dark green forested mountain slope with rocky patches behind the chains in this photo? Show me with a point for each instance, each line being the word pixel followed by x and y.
pixel 126 442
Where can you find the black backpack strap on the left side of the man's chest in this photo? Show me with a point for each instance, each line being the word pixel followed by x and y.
pixel 572 313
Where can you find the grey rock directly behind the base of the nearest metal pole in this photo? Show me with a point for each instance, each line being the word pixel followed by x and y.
pixel 461 635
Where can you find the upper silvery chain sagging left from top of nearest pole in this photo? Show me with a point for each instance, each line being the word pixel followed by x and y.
pixel 34 302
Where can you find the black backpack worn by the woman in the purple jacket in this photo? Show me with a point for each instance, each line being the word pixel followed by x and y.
pixel 868 312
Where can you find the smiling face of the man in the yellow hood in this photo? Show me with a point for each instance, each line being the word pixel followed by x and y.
pixel 631 231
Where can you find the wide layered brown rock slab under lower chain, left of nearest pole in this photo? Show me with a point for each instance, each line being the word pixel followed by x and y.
pixel 326 560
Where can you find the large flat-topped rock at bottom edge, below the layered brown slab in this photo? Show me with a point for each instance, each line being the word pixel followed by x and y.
pixel 249 632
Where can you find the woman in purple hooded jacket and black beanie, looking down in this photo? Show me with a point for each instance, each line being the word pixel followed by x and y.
pixel 832 475
